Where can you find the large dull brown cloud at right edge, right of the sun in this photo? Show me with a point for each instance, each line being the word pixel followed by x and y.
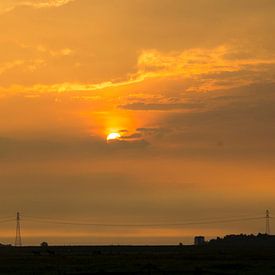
pixel 242 120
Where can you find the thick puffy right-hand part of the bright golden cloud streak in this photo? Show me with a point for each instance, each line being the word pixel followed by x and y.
pixel 200 63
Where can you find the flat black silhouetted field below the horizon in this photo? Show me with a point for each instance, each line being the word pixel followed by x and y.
pixel 138 260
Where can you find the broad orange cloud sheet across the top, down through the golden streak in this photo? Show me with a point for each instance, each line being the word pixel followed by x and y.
pixel 197 44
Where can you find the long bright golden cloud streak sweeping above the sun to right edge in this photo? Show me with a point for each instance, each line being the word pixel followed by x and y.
pixel 212 69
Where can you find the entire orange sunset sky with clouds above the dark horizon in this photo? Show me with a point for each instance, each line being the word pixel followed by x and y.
pixel 188 89
